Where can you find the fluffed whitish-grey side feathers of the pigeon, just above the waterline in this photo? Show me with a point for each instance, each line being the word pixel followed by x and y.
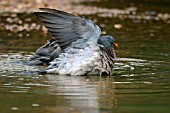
pixel 77 61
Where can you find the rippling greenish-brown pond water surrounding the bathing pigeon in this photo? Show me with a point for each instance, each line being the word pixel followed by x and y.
pixel 140 82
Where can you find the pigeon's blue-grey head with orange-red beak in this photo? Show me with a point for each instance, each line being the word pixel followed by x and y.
pixel 107 41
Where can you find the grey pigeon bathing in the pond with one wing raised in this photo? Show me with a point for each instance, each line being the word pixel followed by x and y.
pixel 77 46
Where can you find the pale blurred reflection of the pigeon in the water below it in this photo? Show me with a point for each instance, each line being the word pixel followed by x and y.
pixel 82 94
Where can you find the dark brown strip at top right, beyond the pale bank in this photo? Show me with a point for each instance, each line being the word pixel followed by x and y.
pixel 161 6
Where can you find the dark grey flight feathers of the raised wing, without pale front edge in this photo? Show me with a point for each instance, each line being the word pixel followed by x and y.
pixel 65 28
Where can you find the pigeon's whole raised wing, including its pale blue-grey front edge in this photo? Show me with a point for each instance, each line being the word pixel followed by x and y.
pixel 67 29
